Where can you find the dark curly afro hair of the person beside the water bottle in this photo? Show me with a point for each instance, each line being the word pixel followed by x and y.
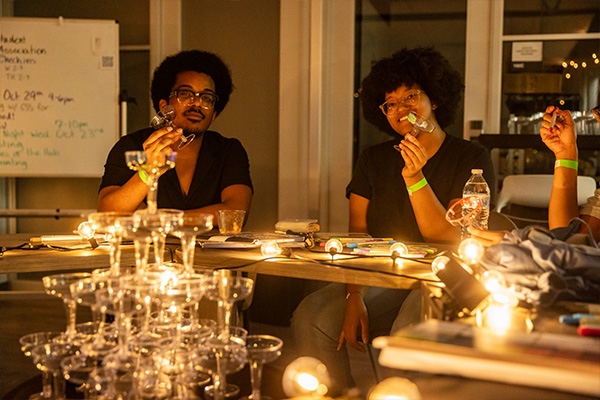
pixel 425 67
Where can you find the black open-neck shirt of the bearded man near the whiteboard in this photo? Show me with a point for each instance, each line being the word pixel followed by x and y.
pixel 222 162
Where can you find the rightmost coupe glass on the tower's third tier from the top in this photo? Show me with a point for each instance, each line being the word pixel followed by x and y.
pixel 226 288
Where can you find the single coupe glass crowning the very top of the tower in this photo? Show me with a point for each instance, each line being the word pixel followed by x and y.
pixel 137 161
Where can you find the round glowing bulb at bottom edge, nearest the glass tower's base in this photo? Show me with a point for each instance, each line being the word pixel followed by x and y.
pixel 305 376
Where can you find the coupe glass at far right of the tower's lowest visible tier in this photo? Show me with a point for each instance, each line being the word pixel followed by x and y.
pixel 261 350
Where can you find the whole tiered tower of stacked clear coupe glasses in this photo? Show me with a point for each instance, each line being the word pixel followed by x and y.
pixel 148 338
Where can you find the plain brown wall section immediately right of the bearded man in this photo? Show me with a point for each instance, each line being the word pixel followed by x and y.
pixel 246 35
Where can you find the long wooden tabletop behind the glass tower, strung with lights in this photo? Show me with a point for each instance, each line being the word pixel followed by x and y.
pixel 303 263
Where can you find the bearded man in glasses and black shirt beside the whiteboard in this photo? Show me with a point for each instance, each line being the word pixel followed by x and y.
pixel 211 172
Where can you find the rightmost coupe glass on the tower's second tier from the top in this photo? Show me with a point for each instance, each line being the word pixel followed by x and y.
pixel 190 226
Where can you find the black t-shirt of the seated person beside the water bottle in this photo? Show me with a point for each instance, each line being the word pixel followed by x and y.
pixel 378 177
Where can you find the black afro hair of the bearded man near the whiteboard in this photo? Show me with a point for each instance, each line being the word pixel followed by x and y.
pixel 191 60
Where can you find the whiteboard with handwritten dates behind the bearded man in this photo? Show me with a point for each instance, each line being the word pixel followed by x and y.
pixel 59 96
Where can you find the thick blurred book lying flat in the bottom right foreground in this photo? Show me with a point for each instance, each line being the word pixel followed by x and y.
pixel 567 363
